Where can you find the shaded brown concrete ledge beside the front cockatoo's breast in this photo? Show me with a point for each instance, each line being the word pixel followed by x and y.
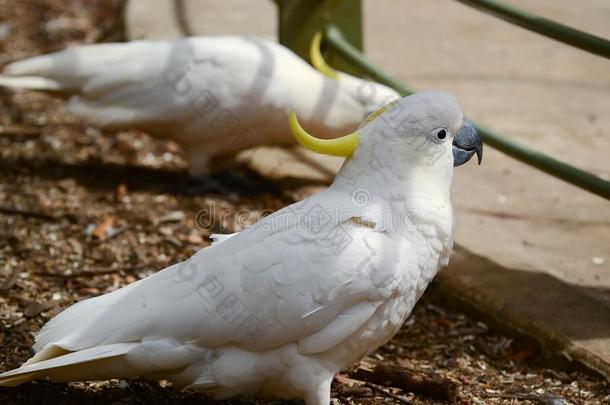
pixel 560 317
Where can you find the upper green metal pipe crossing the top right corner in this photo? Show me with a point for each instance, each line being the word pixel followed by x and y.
pixel 543 26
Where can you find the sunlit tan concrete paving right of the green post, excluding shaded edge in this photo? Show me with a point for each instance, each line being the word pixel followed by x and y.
pixel 543 93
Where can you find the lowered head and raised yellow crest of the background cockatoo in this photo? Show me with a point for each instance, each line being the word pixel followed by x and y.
pixel 370 96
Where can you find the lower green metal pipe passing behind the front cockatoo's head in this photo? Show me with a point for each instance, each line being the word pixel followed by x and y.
pixel 547 164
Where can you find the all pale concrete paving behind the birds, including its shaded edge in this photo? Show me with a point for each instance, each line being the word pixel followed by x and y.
pixel 548 243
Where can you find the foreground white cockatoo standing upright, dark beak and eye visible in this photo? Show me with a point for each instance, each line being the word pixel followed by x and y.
pixel 278 309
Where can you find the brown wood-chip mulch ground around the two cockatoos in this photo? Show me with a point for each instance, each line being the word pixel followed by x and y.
pixel 83 213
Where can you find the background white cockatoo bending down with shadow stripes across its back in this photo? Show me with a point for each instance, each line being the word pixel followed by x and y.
pixel 213 95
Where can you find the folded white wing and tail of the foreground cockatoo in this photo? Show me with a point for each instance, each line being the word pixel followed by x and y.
pixel 250 293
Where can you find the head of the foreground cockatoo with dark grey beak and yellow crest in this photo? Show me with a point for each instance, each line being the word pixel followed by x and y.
pixel 422 133
